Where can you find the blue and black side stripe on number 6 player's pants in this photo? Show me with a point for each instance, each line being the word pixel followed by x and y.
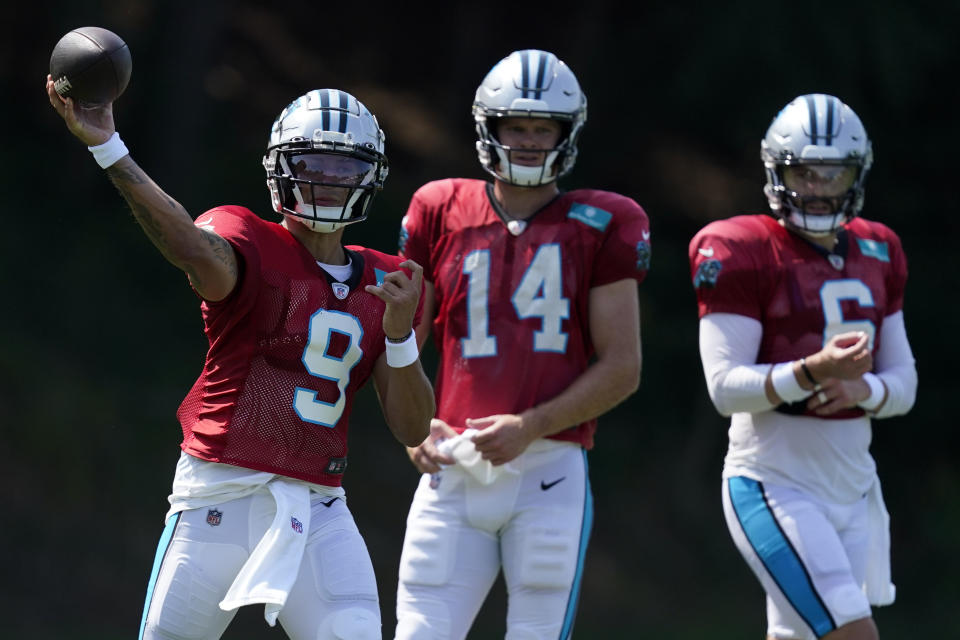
pixel 777 553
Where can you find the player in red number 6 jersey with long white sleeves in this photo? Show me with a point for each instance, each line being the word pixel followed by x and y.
pixel 803 342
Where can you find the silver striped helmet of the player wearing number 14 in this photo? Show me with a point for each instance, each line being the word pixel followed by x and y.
pixel 529 84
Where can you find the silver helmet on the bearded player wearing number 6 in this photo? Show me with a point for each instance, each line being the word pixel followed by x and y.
pixel 816 143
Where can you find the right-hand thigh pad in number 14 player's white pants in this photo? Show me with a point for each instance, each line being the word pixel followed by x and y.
pixel 548 559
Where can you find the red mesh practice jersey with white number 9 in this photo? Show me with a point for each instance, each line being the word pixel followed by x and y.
pixel 289 348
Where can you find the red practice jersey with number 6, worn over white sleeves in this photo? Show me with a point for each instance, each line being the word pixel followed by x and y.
pixel 801 294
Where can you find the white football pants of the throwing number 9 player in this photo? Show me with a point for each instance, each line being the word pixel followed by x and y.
pixel 201 551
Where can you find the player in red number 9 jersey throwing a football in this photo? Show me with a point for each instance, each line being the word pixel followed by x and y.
pixel 297 322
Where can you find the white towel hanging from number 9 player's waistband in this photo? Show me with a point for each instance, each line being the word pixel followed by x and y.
pixel 272 568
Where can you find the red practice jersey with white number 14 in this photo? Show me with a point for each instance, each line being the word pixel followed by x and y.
pixel 512 323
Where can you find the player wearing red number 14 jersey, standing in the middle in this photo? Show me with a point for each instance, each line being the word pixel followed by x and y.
pixel 531 295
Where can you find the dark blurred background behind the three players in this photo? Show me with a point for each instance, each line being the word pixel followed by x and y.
pixel 100 338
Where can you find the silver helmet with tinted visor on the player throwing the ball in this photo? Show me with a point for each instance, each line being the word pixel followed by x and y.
pixel 325 160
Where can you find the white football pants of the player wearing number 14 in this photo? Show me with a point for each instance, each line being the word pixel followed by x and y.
pixel 534 522
